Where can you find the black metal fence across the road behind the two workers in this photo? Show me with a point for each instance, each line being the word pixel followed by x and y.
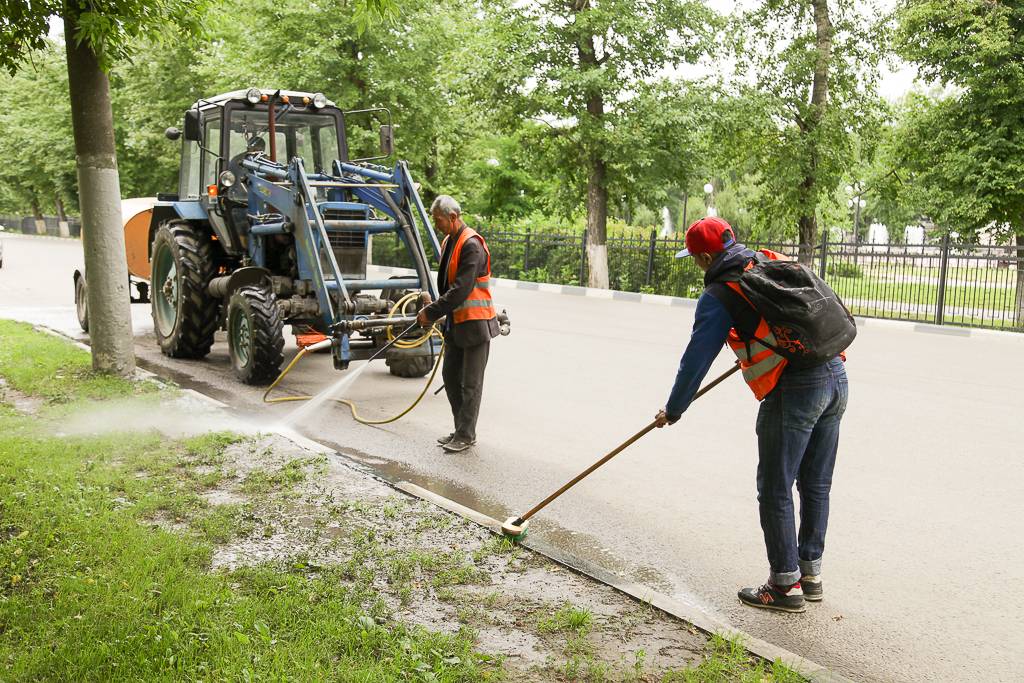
pixel 945 282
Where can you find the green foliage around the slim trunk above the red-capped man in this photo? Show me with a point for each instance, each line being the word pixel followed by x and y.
pixel 800 148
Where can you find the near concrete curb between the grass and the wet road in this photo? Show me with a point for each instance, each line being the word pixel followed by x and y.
pixel 707 624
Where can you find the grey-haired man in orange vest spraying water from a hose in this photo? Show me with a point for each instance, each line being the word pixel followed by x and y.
pixel 471 323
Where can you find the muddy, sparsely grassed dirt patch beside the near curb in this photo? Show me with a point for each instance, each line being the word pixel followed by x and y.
pixel 428 567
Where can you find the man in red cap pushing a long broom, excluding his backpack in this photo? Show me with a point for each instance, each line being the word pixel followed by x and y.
pixel 798 423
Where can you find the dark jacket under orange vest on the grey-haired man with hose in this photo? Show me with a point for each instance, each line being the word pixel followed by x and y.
pixel 473 265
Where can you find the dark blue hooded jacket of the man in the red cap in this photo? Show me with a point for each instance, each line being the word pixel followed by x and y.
pixel 711 328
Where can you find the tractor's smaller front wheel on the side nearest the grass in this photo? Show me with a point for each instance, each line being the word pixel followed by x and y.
pixel 255 335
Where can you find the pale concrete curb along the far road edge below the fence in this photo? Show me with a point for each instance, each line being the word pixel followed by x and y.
pixel 662 301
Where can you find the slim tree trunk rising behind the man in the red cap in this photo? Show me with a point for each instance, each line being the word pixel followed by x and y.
pixel 807 223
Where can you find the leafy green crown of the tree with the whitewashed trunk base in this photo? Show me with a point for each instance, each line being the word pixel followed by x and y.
pixel 587 74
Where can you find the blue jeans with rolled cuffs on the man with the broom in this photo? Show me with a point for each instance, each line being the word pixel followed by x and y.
pixel 798 438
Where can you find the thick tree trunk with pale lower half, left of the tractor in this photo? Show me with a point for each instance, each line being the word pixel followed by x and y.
pixel 100 193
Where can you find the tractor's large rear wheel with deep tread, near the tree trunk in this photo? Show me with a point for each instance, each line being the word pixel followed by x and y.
pixel 185 315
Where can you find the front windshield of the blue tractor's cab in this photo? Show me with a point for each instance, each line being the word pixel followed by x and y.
pixel 297 136
